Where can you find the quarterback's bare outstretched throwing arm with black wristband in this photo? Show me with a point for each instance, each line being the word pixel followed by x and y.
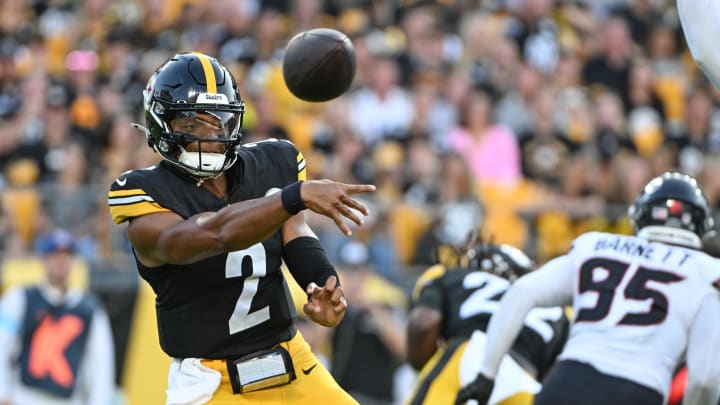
pixel 165 237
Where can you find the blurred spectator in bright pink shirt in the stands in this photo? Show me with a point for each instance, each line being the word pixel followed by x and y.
pixel 491 150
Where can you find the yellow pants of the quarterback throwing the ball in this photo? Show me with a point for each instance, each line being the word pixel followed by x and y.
pixel 314 383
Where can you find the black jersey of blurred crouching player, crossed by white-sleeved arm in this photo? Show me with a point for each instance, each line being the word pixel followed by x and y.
pixel 468 298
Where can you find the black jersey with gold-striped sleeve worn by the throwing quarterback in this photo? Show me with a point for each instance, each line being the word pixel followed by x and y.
pixel 226 305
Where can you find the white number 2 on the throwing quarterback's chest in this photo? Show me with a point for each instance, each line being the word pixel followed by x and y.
pixel 242 318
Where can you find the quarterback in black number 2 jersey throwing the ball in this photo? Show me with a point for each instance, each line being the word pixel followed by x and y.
pixel 210 226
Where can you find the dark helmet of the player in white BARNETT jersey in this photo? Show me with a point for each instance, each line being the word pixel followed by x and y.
pixel 673 209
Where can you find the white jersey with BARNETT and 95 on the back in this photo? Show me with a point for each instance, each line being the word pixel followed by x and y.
pixel 633 304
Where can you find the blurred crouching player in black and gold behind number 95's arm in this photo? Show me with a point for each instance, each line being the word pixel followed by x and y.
pixel 451 310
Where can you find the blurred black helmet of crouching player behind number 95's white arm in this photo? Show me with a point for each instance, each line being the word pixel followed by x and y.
pixel 503 260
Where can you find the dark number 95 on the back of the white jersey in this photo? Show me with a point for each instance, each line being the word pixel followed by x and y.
pixel 636 289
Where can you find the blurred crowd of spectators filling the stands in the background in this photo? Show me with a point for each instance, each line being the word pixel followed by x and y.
pixel 523 121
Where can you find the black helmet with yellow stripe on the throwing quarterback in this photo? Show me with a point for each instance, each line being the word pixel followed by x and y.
pixel 185 85
